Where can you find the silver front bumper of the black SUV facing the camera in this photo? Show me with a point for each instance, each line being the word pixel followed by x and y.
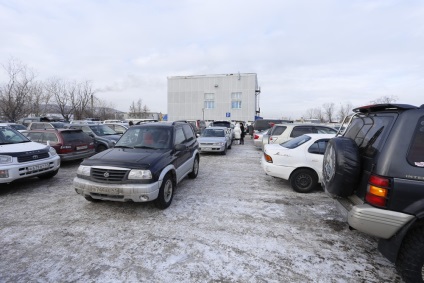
pixel 117 192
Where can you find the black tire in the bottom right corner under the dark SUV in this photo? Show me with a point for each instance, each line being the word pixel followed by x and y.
pixel 410 262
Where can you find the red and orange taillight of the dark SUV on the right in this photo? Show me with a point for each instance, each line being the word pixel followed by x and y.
pixel 378 190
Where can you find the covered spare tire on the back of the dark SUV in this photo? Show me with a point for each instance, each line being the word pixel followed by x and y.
pixel 341 167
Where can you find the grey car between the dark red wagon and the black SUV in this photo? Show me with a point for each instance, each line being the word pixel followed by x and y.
pixel 104 137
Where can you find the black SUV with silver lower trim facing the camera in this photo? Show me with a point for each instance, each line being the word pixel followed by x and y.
pixel 146 164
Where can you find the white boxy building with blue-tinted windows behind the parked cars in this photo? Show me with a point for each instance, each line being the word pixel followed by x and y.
pixel 213 97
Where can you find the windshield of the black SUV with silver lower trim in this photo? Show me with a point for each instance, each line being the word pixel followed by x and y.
pixel 146 137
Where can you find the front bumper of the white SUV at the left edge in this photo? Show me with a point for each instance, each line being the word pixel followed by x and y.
pixel 10 173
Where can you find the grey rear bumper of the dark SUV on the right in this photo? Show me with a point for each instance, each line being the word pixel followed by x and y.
pixel 370 220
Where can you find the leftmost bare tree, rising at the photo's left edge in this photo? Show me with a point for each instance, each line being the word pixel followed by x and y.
pixel 15 95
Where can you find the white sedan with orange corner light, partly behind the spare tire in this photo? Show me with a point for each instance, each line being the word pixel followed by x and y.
pixel 298 160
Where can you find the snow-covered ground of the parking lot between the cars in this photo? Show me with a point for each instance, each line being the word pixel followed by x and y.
pixel 231 224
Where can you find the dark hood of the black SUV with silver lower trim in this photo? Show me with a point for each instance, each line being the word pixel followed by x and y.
pixel 126 157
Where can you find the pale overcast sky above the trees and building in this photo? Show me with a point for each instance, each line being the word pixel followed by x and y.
pixel 305 53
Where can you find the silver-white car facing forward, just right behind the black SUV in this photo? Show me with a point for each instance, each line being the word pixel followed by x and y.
pixel 215 139
